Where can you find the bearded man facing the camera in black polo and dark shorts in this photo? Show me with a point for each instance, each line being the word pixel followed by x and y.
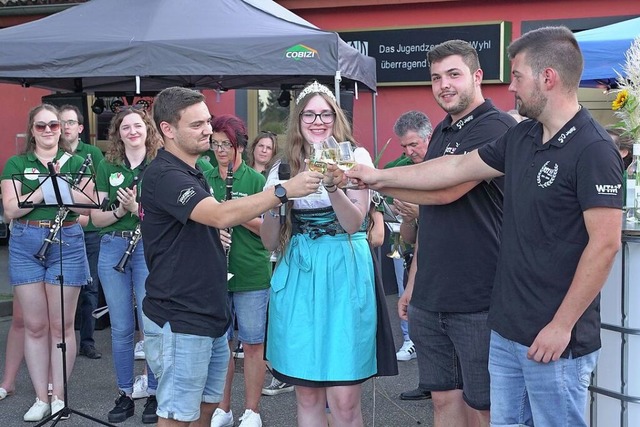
pixel 456 252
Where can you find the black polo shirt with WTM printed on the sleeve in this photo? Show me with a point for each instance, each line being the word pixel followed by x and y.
pixel 547 189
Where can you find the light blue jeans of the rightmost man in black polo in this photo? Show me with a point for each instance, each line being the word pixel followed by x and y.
pixel 526 392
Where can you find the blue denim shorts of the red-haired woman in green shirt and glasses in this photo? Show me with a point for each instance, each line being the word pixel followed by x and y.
pixel 249 310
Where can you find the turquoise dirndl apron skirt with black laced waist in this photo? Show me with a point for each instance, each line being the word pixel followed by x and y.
pixel 322 309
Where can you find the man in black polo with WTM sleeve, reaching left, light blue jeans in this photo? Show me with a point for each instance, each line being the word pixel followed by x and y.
pixel 561 231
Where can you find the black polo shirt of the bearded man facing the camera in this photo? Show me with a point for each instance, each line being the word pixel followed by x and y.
pixel 459 242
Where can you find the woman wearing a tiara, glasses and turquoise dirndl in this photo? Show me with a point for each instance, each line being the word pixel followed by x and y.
pixel 322 308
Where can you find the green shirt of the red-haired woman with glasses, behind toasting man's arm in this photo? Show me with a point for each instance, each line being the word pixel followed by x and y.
pixel 248 258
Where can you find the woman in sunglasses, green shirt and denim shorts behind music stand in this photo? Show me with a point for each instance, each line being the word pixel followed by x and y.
pixel 36 282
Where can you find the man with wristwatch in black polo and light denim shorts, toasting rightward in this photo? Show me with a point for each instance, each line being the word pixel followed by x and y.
pixel 185 308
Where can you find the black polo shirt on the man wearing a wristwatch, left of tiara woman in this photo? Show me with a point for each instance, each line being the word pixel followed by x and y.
pixel 187 283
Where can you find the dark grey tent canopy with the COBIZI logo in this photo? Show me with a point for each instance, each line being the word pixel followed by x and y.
pixel 143 46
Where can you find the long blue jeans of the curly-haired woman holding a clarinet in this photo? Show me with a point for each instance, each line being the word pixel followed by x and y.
pixel 120 289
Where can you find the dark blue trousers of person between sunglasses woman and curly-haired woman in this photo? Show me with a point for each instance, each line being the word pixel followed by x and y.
pixel 89 293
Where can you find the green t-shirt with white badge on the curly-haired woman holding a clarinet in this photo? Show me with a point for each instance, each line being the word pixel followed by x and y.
pixel 110 177
